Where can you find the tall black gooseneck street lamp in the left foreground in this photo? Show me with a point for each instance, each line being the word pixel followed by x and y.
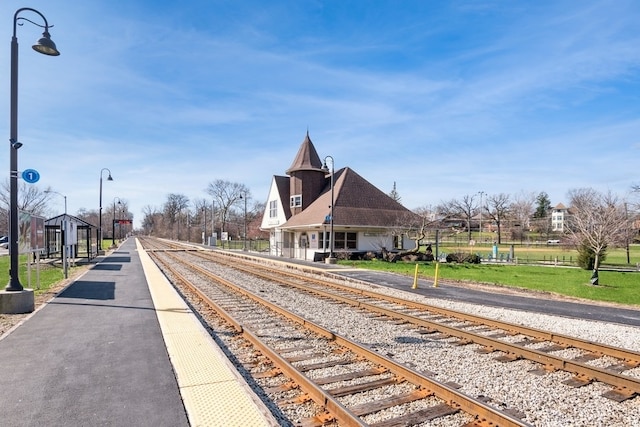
pixel 46 46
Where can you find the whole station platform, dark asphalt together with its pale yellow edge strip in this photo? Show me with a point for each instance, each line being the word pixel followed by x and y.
pixel 119 347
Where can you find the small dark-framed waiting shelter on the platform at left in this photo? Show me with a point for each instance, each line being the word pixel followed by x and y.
pixel 81 237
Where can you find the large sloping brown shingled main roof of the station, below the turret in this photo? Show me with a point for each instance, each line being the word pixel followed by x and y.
pixel 358 203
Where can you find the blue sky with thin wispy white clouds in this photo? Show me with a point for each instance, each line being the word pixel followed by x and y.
pixel 441 98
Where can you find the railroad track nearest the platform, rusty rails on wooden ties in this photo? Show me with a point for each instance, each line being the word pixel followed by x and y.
pixel 304 352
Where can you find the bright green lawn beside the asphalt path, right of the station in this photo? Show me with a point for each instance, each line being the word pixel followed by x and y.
pixel 618 287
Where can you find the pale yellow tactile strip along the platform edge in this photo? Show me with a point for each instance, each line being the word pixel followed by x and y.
pixel 214 393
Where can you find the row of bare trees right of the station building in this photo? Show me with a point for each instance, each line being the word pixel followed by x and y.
pixel 593 223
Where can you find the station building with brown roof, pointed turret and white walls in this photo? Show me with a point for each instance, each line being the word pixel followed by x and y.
pixel 298 212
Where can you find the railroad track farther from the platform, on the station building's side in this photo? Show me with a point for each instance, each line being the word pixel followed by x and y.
pixel 514 341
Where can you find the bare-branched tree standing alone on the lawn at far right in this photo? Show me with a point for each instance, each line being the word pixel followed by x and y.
pixel 597 221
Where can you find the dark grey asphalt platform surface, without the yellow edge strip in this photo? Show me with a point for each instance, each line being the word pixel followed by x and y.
pixel 93 356
